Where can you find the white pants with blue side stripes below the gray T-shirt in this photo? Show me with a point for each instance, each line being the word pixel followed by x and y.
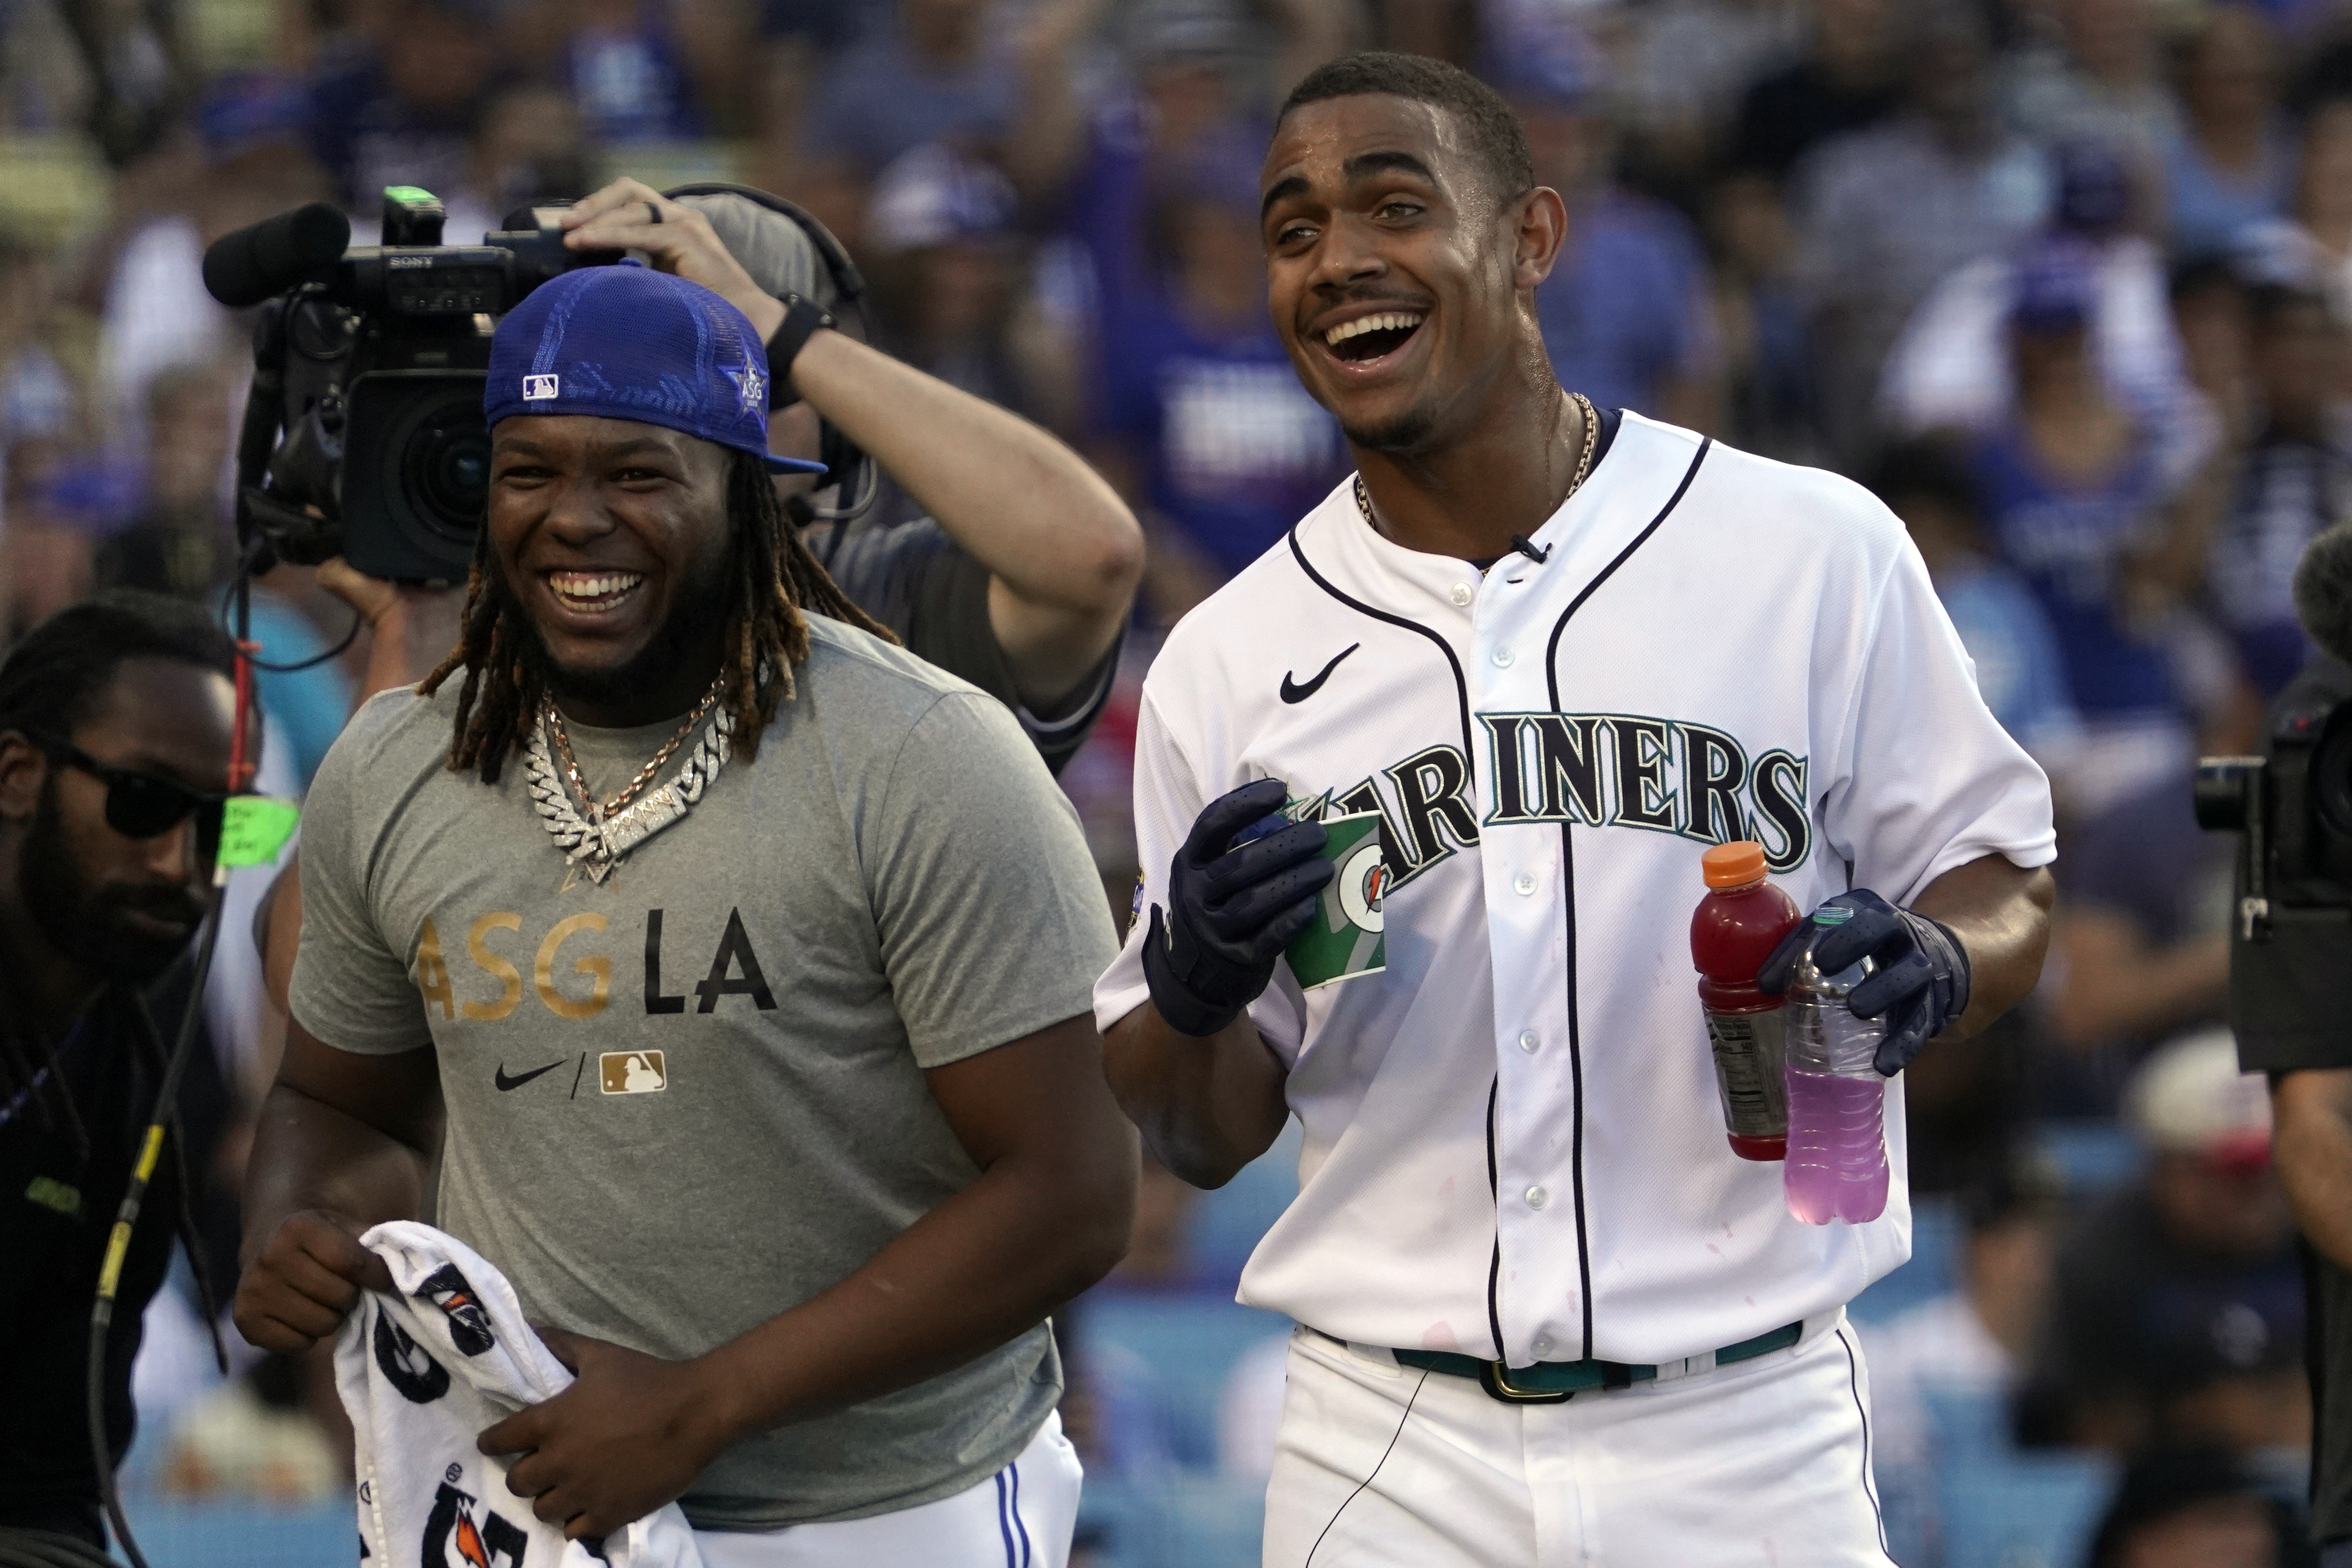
pixel 1020 1517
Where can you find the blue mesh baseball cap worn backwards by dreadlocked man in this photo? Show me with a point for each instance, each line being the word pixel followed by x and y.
pixel 627 342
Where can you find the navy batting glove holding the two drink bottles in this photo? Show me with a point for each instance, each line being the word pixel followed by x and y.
pixel 1920 984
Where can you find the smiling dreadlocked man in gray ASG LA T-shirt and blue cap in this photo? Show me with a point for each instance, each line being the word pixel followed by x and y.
pixel 744 963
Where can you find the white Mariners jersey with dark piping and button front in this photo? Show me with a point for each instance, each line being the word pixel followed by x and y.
pixel 1514 1137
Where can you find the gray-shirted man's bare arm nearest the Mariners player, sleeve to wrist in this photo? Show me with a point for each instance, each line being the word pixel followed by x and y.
pixel 1048 1217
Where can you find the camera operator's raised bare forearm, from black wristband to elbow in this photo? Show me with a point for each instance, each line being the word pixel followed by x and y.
pixel 1057 540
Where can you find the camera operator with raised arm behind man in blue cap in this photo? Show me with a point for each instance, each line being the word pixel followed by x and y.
pixel 1020 579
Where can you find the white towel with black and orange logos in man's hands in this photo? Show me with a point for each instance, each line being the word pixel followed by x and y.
pixel 422 1374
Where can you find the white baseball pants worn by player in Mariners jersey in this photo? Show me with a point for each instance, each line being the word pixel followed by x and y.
pixel 1763 1463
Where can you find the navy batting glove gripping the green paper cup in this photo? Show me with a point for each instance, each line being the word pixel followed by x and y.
pixel 1241 890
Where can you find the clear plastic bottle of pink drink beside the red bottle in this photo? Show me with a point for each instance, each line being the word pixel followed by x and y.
pixel 1836 1097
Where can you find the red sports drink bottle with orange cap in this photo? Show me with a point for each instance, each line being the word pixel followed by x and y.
pixel 1732 932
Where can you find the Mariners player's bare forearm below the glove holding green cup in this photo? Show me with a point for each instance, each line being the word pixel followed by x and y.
pixel 1205 1106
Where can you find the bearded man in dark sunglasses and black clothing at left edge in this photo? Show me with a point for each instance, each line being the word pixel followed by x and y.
pixel 114 753
